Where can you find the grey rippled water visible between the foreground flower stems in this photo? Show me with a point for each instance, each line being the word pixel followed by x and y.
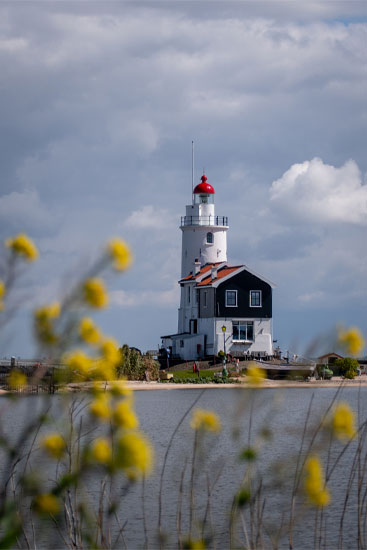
pixel 244 414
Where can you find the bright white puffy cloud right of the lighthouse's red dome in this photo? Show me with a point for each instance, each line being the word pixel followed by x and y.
pixel 319 193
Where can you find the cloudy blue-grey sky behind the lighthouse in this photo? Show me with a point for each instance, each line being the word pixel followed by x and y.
pixel 99 104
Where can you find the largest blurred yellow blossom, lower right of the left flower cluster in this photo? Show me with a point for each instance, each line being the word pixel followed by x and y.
pixel 134 455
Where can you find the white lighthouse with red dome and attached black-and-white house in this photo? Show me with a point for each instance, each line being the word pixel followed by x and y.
pixel 223 307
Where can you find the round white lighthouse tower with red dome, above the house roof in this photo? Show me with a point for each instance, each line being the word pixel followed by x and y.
pixel 204 235
